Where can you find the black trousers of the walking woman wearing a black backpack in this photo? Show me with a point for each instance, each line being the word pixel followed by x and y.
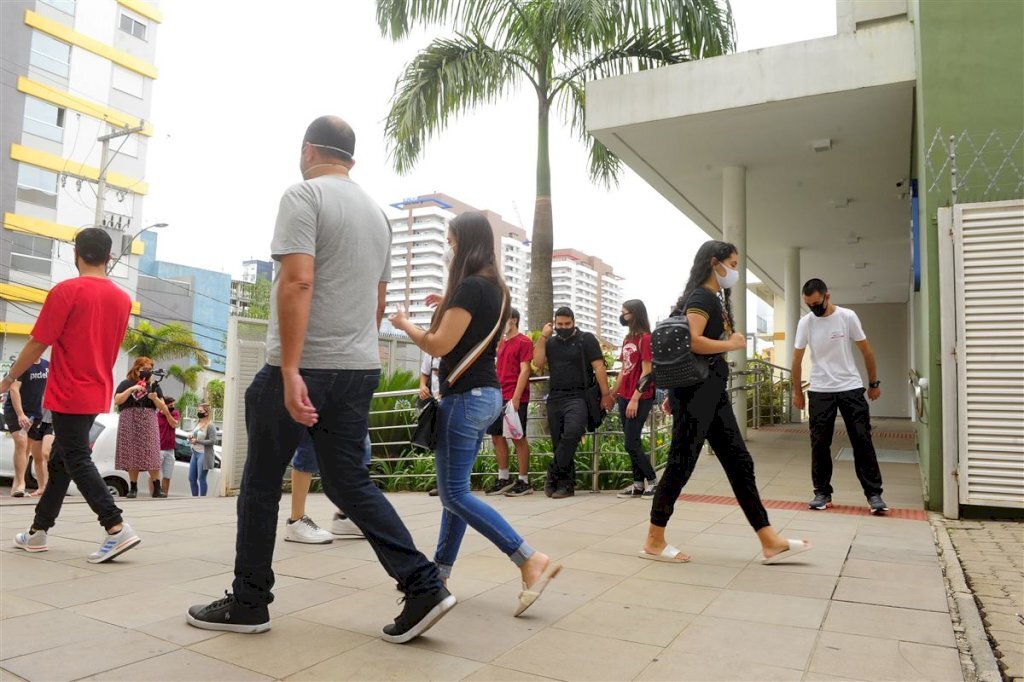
pixel 705 413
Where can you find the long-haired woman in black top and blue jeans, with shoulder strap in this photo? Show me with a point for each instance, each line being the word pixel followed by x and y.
pixel 464 334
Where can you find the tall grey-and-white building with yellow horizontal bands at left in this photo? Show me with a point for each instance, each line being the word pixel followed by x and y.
pixel 73 71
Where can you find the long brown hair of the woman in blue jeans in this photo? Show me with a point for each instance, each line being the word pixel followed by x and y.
pixel 475 254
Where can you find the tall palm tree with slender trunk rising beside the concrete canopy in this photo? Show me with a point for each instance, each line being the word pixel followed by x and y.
pixel 553 47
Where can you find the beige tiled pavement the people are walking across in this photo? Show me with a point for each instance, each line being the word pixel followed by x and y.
pixel 868 604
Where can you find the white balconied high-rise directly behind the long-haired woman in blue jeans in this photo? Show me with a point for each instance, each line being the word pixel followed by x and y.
pixel 419 240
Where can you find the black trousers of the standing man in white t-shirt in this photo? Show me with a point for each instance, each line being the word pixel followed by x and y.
pixel 856 413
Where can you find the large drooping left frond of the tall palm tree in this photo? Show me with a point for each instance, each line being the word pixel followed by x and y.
pixel 447 78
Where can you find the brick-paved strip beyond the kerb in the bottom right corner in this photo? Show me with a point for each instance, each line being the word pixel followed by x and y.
pixel 992 555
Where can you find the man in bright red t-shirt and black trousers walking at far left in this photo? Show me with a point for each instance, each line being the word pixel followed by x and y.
pixel 86 321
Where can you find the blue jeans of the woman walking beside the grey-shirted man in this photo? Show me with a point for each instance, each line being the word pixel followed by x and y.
pixel 464 417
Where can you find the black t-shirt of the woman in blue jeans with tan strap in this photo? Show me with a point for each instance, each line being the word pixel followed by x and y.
pixel 483 300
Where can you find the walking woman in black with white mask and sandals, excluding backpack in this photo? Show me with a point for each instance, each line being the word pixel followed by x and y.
pixel 705 412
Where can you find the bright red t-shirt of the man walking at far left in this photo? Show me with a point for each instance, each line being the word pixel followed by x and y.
pixel 86 321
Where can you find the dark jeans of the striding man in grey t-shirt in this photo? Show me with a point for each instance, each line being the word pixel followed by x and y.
pixel 343 401
